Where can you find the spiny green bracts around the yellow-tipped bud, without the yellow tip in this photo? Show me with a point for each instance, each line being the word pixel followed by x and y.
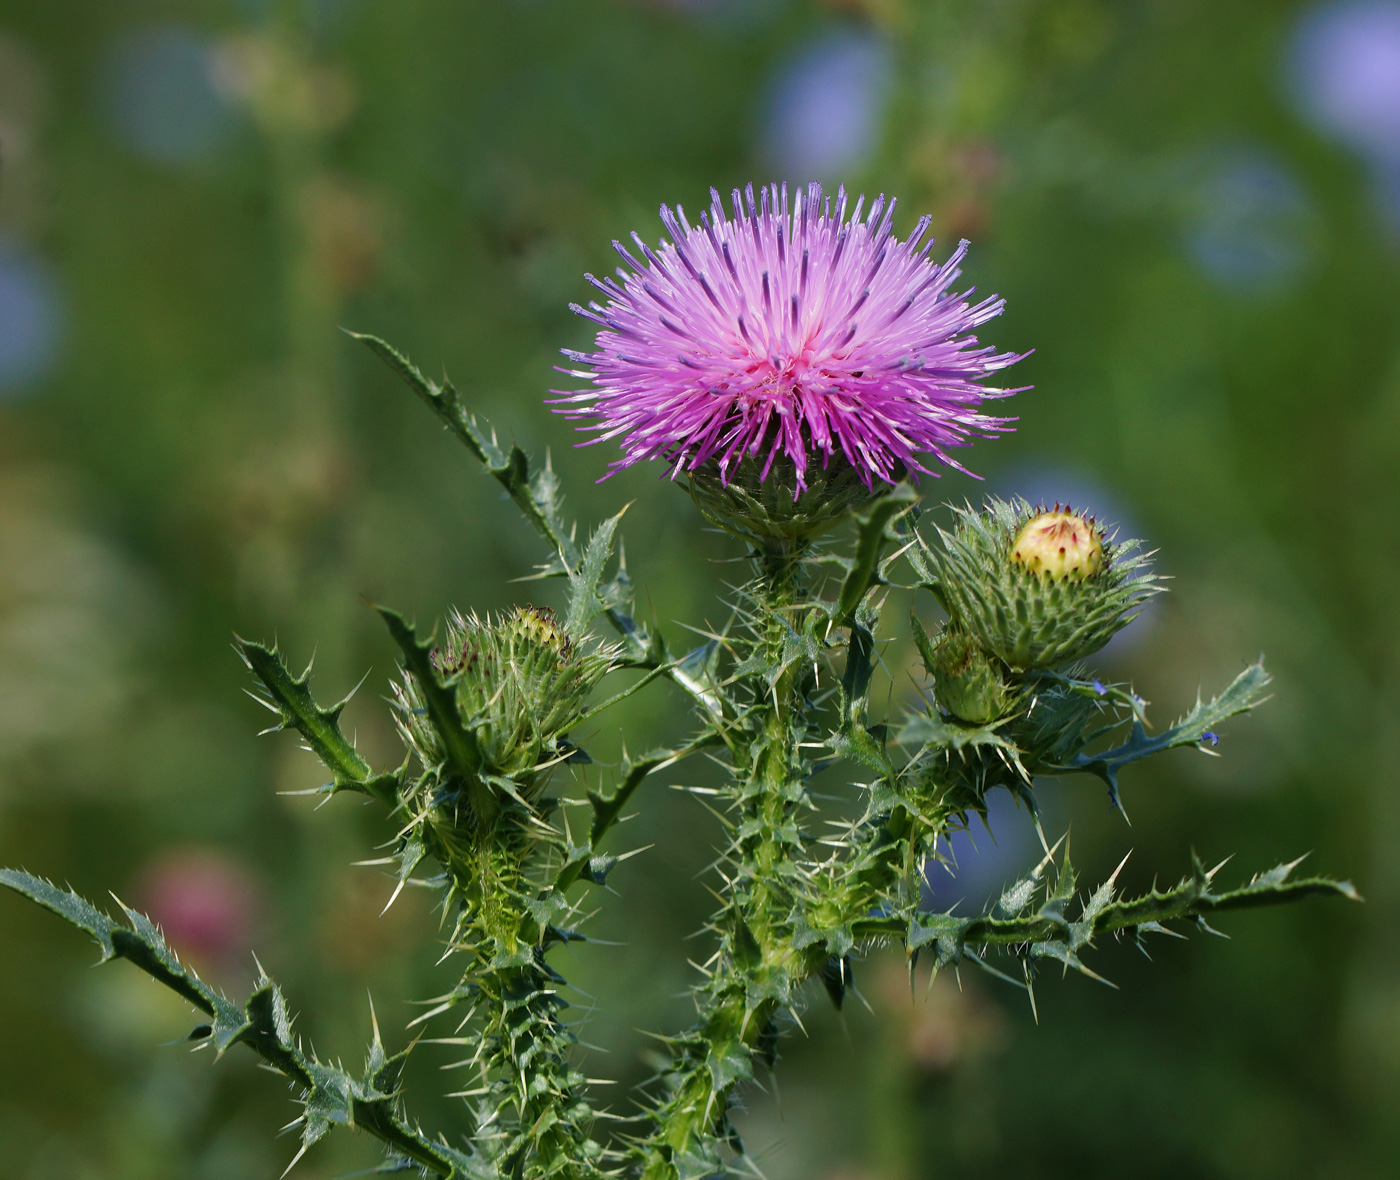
pixel 1025 619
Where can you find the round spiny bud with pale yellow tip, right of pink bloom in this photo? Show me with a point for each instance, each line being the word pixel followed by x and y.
pixel 1038 589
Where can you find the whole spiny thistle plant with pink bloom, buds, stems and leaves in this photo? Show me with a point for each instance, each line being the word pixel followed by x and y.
pixel 797 369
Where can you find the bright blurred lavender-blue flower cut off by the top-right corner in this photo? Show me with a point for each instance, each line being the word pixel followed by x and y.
pixel 1345 69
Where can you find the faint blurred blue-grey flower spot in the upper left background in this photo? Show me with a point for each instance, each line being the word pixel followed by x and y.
pixel 157 90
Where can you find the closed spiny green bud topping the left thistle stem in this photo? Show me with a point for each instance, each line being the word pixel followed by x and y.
pixel 520 684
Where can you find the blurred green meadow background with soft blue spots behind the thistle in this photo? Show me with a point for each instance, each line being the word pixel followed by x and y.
pixel 1193 212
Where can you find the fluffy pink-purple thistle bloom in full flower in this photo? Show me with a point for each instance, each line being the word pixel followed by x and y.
pixel 775 334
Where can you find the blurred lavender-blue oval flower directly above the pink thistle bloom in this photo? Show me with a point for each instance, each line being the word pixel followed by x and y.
pixel 822 113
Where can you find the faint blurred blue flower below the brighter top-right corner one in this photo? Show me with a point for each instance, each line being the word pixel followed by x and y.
pixel 1249 227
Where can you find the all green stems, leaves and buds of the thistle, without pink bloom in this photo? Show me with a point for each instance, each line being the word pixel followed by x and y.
pixel 488 719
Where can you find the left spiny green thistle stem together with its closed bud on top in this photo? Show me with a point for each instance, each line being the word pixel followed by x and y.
pixel 485 713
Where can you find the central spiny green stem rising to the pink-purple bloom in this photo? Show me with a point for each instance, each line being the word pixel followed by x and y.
pixel 757 965
